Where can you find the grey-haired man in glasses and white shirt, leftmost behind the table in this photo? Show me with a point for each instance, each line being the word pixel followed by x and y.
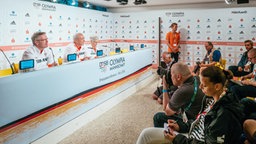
pixel 39 51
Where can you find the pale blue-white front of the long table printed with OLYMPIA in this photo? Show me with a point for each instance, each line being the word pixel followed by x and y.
pixel 25 93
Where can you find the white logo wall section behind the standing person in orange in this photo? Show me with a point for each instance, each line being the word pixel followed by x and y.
pixel 226 28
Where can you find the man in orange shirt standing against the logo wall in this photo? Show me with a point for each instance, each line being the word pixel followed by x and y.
pixel 173 41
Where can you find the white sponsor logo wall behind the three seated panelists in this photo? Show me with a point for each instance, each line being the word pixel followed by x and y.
pixel 60 22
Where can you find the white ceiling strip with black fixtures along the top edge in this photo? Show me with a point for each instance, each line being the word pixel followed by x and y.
pixel 114 4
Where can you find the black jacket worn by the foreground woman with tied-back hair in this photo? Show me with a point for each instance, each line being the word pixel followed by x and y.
pixel 222 123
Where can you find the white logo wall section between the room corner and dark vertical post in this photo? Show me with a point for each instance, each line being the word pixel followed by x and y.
pixel 138 29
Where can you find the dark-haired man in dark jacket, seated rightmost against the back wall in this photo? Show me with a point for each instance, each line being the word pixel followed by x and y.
pixel 244 67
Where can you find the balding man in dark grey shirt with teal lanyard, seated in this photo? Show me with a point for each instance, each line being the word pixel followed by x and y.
pixel 185 102
